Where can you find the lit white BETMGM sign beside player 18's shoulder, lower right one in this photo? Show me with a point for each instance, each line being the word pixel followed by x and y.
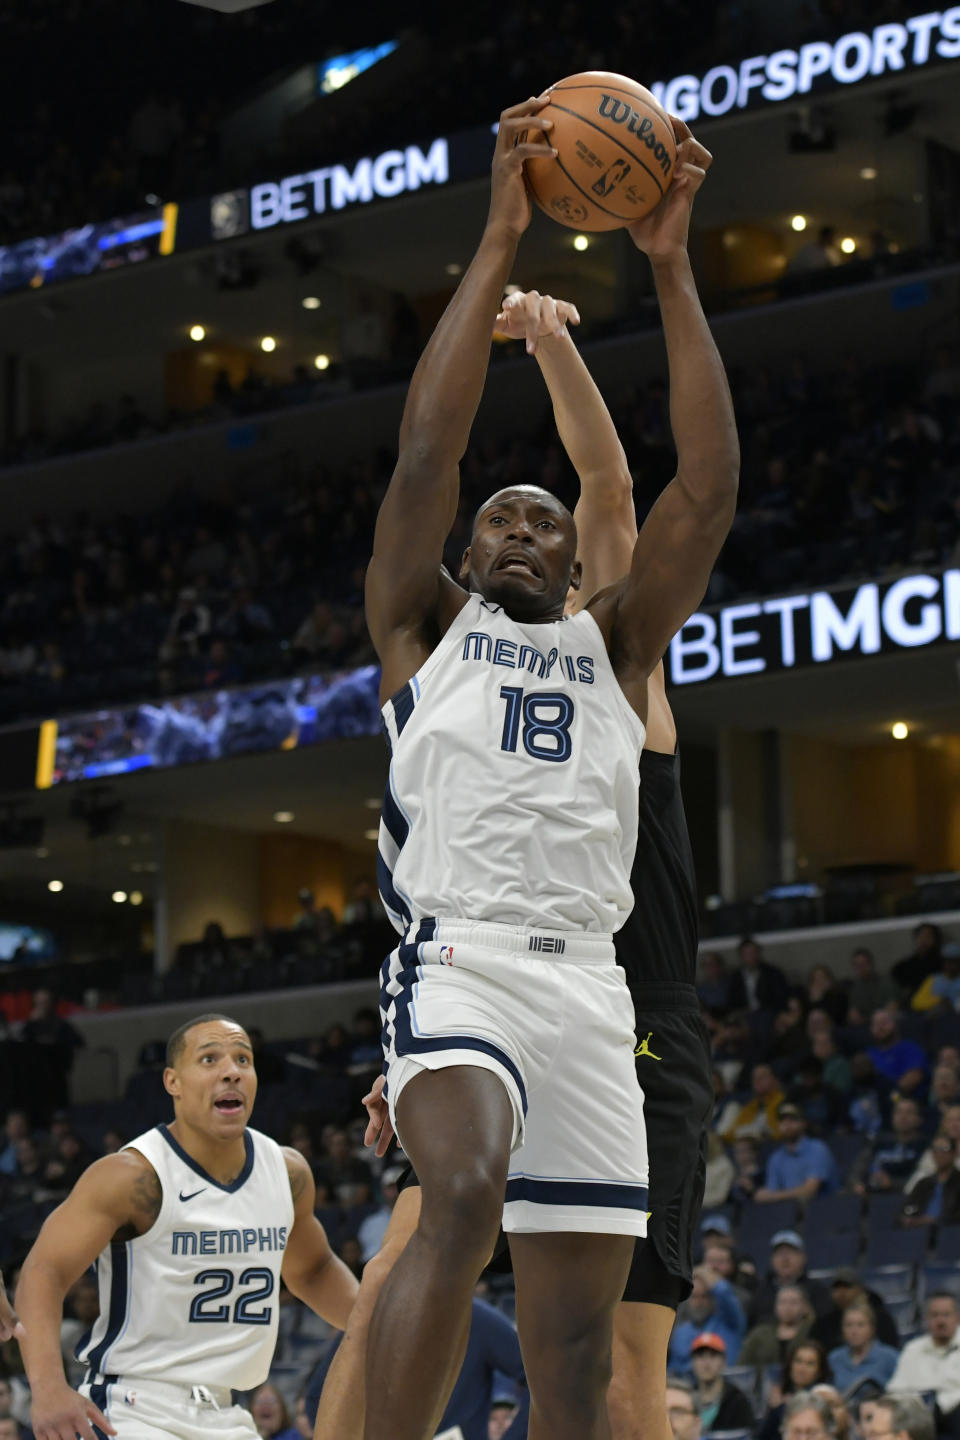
pixel 818 629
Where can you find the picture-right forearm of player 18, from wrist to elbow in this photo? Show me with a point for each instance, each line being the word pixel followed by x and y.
pixel 702 408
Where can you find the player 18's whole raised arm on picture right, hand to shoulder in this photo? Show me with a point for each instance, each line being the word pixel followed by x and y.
pixel 686 529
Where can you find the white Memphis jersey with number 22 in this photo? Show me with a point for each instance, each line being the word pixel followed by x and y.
pixel 196 1298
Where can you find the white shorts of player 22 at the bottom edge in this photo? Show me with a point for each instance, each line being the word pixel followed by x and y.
pixel 150 1409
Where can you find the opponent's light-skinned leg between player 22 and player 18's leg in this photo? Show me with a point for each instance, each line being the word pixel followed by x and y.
pixel 340 1415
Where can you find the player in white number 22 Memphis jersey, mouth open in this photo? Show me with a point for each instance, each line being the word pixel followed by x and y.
pixel 192 1228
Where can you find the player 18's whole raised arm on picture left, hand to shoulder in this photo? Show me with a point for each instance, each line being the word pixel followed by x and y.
pixel 405 590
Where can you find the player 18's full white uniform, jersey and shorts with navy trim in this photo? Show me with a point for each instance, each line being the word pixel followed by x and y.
pixel 506 849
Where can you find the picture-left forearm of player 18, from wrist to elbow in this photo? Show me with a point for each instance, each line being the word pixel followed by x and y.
pixel 448 382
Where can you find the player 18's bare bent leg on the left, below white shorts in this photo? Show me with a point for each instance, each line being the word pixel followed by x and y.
pixel 457 1125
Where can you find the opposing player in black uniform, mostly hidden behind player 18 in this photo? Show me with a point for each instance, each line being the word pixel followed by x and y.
pixel 657 947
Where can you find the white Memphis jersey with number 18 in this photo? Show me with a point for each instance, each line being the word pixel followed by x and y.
pixel 513 793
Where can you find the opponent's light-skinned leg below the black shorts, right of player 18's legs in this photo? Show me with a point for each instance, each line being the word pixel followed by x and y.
pixel 637 1399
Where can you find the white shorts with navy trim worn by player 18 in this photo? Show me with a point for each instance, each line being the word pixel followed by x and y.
pixel 551 1014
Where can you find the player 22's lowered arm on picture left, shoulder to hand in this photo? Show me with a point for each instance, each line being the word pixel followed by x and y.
pixel 119 1196
